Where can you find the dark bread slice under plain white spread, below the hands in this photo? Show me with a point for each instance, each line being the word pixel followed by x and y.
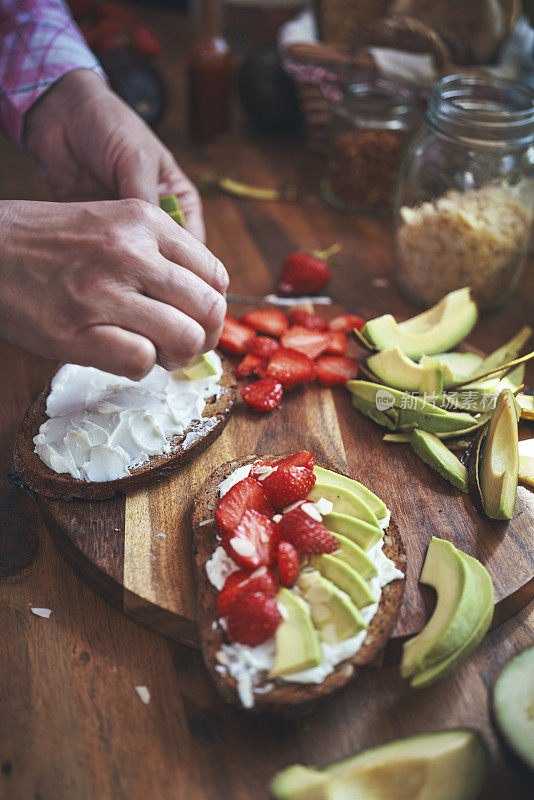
pixel 36 475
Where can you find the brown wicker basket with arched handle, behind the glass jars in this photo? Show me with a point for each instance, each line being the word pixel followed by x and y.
pixel 321 70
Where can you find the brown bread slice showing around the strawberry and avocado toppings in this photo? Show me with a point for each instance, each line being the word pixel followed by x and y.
pixel 284 696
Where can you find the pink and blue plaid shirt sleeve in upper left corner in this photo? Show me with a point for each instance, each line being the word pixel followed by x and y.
pixel 39 43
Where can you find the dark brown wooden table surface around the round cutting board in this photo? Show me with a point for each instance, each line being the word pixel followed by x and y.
pixel 71 722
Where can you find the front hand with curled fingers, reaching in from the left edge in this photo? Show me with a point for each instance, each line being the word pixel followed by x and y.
pixel 115 285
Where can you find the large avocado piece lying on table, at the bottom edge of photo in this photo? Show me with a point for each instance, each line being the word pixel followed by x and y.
pixel 447 765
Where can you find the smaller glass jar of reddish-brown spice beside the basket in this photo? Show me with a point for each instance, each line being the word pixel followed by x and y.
pixel 367 137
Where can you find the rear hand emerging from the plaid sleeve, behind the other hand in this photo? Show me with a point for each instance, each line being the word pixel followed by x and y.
pixel 93 147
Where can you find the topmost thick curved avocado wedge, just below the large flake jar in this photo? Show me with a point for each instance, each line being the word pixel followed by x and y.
pixel 434 331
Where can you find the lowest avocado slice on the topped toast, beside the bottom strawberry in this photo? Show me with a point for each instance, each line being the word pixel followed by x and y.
pixel 297 642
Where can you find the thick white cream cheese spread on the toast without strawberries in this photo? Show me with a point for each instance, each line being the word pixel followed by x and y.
pixel 102 426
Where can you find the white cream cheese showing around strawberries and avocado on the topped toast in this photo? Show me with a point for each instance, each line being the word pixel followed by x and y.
pixel 245 663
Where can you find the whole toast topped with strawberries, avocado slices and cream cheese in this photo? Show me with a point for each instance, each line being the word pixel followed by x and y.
pixel 300 576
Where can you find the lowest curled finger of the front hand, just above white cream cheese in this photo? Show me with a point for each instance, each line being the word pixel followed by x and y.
pixel 112 349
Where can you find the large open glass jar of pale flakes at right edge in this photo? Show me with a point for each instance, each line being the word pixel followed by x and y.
pixel 463 207
